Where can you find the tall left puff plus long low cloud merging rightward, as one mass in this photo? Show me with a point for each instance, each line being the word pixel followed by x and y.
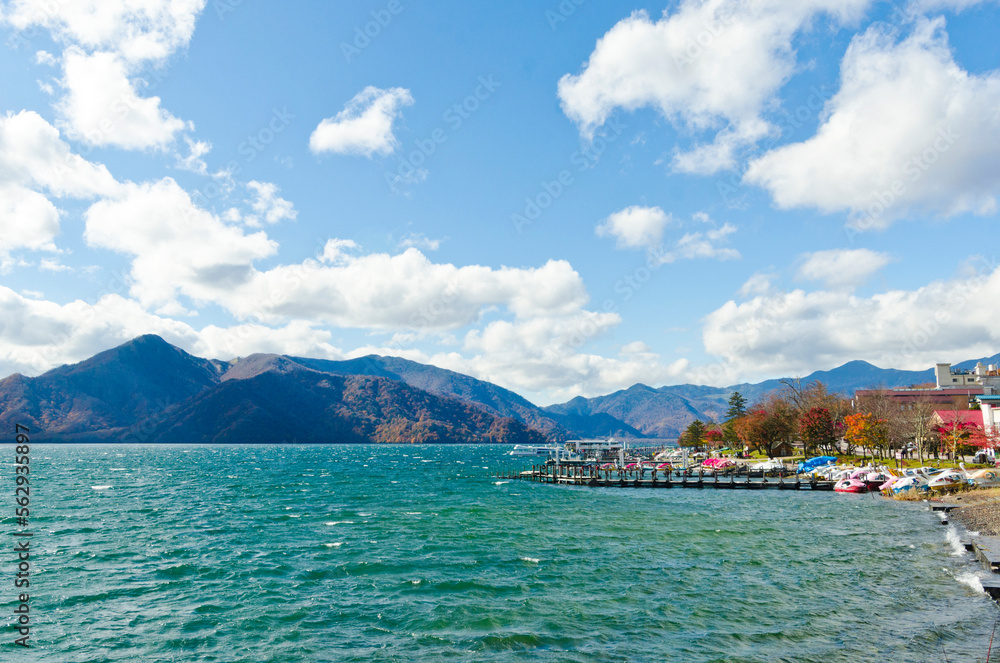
pixel 180 250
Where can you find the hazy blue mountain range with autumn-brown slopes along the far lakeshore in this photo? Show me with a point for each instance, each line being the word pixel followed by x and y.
pixel 147 390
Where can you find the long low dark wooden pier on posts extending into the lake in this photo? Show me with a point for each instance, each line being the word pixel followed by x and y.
pixel 591 477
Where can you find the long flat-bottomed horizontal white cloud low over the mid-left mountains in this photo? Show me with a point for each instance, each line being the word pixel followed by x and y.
pixel 404 291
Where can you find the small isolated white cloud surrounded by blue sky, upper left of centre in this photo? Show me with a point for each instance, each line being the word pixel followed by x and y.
pixel 365 124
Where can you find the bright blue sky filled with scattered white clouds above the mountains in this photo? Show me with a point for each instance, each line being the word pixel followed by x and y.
pixel 564 198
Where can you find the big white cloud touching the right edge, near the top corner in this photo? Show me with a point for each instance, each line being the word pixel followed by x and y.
pixel 909 131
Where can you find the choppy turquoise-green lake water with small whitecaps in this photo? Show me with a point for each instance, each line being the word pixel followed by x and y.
pixel 346 553
